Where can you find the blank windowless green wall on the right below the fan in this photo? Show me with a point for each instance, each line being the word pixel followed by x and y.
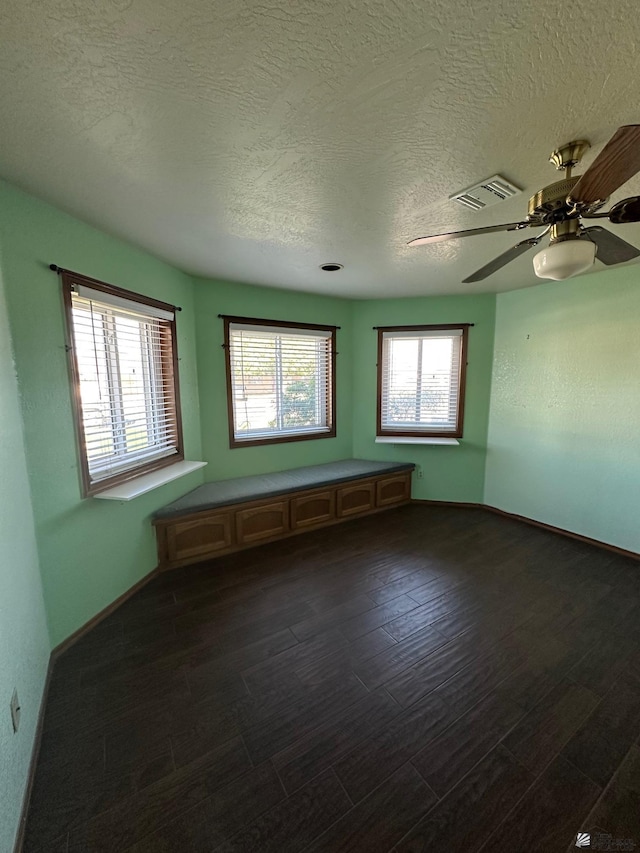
pixel 565 407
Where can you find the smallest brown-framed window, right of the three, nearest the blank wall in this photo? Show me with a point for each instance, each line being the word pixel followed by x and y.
pixel 421 378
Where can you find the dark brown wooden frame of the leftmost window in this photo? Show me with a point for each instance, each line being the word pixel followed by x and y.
pixel 169 368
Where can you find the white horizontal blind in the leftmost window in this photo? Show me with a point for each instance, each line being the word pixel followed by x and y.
pixel 124 359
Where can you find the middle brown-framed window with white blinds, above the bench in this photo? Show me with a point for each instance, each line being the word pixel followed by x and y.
pixel 280 381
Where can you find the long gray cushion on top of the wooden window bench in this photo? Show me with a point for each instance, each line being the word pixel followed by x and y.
pixel 242 489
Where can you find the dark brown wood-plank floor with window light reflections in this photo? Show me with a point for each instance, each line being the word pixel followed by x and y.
pixel 428 679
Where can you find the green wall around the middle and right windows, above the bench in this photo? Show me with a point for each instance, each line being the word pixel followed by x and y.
pixel 450 473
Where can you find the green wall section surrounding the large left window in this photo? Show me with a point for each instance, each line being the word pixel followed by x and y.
pixel 91 551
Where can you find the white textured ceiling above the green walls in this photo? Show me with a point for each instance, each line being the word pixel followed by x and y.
pixel 254 141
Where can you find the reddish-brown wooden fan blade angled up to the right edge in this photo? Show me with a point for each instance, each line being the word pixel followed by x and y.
pixel 618 161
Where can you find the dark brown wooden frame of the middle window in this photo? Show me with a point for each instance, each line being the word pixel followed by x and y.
pixel 234 443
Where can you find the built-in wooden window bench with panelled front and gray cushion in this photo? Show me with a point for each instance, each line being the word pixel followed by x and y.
pixel 229 515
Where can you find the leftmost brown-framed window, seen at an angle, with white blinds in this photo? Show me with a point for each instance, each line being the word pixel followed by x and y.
pixel 123 365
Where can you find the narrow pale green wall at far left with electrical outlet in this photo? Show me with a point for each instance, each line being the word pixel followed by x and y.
pixel 24 641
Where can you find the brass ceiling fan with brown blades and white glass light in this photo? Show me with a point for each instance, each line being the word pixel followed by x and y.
pixel 559 209
